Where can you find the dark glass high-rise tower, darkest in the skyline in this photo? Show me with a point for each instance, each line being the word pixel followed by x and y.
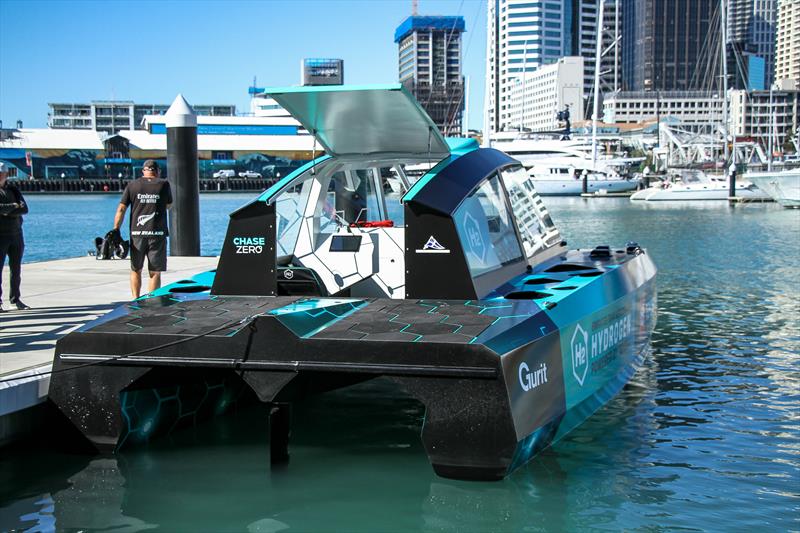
pixel 664 42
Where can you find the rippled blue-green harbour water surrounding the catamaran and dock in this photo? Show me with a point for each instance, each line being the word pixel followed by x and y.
pixel 706 437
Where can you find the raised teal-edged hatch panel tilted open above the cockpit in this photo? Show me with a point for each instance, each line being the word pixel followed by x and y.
pixel 353 120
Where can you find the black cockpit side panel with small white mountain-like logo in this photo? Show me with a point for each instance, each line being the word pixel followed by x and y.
pixel 433 273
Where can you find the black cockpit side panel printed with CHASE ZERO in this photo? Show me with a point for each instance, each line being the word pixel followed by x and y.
pixel 247 263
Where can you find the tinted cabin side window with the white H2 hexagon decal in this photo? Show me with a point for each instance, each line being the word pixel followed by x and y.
pixel 486 229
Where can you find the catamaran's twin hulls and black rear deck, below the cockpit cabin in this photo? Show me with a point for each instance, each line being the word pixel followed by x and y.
pixel 462 359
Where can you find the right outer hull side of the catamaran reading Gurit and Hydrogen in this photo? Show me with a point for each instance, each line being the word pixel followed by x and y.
pixel 598 352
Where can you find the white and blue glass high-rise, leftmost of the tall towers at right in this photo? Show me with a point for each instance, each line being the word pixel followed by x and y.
pixel 521 36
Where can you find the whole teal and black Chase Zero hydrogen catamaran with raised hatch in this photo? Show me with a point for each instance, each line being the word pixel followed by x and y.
pixel 459 289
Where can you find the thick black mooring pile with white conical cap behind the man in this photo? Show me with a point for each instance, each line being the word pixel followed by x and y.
pixel 184 178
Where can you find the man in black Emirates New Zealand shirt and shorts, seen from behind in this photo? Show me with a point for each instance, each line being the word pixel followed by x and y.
pixel 149 198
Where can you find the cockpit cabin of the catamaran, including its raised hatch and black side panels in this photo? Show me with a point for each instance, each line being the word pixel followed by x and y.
pixel 351 222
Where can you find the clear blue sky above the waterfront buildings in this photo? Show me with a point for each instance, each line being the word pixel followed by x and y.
pixel 148 51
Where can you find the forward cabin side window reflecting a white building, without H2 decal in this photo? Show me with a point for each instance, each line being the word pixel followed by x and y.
pixel 535 225
